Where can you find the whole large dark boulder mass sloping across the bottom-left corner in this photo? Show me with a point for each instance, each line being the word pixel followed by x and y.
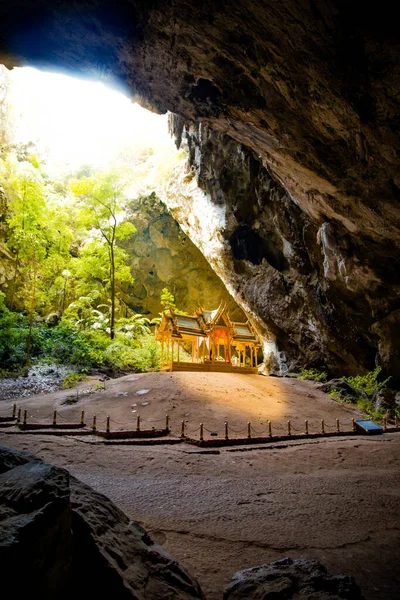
pixel 61 539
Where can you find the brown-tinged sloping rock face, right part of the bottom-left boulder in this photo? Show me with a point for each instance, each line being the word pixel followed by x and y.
pixel 115 557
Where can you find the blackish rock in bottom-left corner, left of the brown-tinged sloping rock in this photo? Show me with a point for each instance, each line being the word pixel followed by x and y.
pixel 35 529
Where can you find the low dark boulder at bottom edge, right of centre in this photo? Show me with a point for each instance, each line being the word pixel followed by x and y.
pixel 286 579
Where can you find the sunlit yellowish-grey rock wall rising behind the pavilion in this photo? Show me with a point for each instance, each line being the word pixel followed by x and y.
pixel 162 255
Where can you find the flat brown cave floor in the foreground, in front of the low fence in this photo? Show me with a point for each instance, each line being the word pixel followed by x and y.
pixel 336 500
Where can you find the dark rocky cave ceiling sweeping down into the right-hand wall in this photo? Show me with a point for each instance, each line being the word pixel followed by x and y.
pixel 303 96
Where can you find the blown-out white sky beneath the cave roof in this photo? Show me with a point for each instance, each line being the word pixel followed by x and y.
pixel 80 122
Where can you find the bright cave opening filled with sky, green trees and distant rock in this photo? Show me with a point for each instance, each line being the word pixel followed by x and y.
pixel 86 235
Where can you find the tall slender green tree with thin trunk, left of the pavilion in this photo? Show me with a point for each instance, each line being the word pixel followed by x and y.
pixel 101 200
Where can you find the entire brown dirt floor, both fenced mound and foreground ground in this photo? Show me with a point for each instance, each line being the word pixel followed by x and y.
pixel 335 499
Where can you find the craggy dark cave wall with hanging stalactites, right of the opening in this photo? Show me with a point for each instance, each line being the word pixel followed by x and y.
pixel 298 279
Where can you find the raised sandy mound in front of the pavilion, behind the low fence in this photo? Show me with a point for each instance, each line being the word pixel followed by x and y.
pixel 209 398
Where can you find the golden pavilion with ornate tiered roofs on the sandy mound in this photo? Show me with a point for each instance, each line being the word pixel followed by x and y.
pixel 207 341
